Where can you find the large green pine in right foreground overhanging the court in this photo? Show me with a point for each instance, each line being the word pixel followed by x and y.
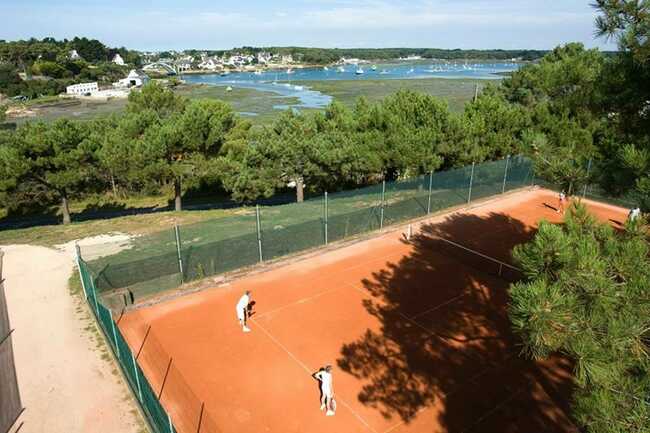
pixel 587 295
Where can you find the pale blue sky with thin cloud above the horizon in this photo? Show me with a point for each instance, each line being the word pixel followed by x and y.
pixel 214 24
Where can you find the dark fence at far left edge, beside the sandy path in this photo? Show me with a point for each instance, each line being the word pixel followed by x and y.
pixel 10 403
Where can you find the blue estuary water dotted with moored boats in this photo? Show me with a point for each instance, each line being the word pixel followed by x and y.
pixel 288 82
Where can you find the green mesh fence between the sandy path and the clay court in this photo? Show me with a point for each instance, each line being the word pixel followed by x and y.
pixel 166 399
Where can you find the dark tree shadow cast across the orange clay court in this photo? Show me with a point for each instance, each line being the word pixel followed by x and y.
pixel 445 340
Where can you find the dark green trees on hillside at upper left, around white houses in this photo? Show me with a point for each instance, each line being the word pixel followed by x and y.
pixel 48 67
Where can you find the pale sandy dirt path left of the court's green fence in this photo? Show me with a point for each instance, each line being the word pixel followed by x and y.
pixel 68 383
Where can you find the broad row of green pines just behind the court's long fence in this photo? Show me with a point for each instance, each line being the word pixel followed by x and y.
pixel 565 111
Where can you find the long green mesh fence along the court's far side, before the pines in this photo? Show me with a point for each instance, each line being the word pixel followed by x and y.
pixel 167 259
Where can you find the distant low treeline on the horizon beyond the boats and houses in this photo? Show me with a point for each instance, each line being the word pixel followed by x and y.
pixel 331 55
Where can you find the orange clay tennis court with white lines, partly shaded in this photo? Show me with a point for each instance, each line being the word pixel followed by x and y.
pixel 419 340
